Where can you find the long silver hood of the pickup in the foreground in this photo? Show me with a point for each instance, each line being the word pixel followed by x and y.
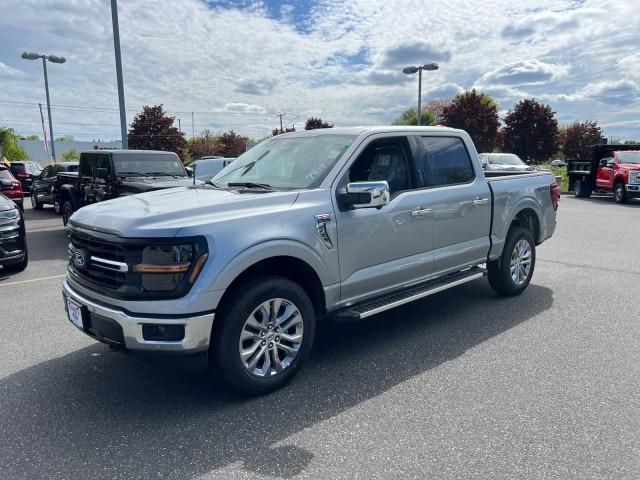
pixel 165 212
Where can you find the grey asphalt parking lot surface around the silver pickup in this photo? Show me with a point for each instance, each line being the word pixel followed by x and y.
pixel 461 385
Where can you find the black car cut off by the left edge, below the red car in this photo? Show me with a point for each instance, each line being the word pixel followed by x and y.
pixel 14 256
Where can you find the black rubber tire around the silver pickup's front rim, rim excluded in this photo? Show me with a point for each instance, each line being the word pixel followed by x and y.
pixel 224 351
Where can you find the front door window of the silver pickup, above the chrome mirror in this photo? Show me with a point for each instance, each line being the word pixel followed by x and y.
pixel 383 161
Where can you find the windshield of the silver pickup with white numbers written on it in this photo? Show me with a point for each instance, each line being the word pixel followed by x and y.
pixel 287 163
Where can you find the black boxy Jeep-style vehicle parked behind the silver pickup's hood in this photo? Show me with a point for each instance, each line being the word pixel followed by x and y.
pixel 106 174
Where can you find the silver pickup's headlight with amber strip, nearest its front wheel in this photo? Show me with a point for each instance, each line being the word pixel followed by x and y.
pixel 164 268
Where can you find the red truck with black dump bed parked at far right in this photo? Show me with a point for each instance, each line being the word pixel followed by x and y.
pixel 612 169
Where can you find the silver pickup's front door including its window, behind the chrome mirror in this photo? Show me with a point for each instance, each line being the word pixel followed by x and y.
pixel 382 249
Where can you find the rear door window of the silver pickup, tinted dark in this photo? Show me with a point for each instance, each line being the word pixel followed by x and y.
pixel 444 161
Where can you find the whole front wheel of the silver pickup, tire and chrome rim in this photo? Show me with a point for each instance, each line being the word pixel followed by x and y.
pixel 262 334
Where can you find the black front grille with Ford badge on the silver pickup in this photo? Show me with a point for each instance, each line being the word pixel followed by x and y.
pixel 105 262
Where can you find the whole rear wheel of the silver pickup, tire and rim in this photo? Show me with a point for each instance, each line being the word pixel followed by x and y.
pixel 511 273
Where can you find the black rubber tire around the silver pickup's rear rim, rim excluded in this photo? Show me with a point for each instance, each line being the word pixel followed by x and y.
pixel 500 275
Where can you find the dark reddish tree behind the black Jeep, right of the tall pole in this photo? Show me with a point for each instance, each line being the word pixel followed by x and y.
pixel 152 129
